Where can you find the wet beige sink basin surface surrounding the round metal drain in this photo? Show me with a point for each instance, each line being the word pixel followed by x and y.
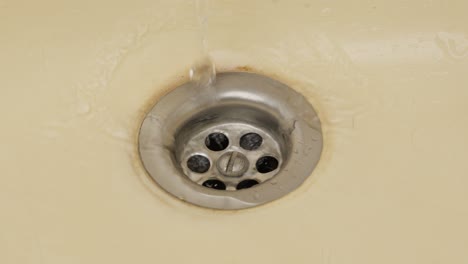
pixel 388 78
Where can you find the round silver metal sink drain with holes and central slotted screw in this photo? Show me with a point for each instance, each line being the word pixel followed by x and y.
pixel 243 142
